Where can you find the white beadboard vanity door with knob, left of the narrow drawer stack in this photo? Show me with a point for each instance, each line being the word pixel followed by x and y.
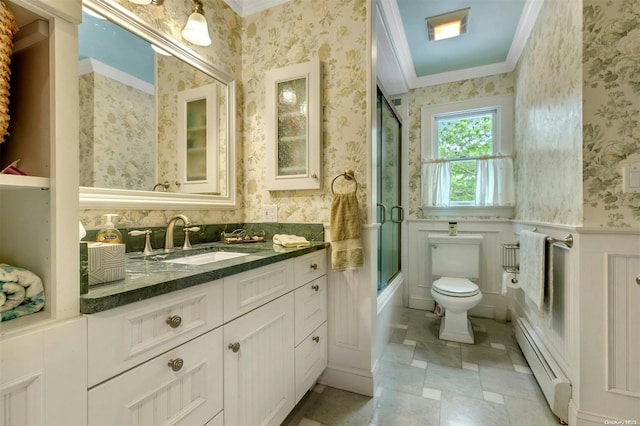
pixel 258 365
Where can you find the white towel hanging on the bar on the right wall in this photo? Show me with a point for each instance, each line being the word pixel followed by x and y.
pixel 532 265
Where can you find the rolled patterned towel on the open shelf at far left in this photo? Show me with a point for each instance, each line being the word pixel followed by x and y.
pixel 22 292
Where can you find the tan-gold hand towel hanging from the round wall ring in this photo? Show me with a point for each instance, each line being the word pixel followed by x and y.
pixel 346 247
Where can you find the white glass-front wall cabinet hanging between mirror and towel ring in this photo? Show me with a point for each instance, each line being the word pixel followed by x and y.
pixel 293 127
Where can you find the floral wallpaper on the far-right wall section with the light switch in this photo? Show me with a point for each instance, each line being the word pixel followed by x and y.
pixel 611 128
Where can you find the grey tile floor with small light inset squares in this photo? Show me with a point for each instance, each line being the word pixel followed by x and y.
pixel 422 380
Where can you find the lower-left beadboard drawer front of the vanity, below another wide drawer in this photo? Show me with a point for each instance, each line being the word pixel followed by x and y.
pixel 154 393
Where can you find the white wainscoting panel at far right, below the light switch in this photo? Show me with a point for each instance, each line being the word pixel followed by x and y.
pixel 607 382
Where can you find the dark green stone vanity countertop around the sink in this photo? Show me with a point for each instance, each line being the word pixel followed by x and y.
pixel 148 278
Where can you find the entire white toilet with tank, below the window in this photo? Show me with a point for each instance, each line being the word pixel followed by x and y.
pixel 455 264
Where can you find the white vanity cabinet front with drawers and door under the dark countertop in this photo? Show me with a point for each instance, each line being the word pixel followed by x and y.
pixel 250 346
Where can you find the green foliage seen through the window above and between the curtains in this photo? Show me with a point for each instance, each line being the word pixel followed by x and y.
pixel 460 138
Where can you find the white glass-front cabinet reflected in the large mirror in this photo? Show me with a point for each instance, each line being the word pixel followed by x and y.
pixel 198 140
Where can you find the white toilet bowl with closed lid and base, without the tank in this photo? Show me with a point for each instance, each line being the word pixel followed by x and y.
pixel 456 296
